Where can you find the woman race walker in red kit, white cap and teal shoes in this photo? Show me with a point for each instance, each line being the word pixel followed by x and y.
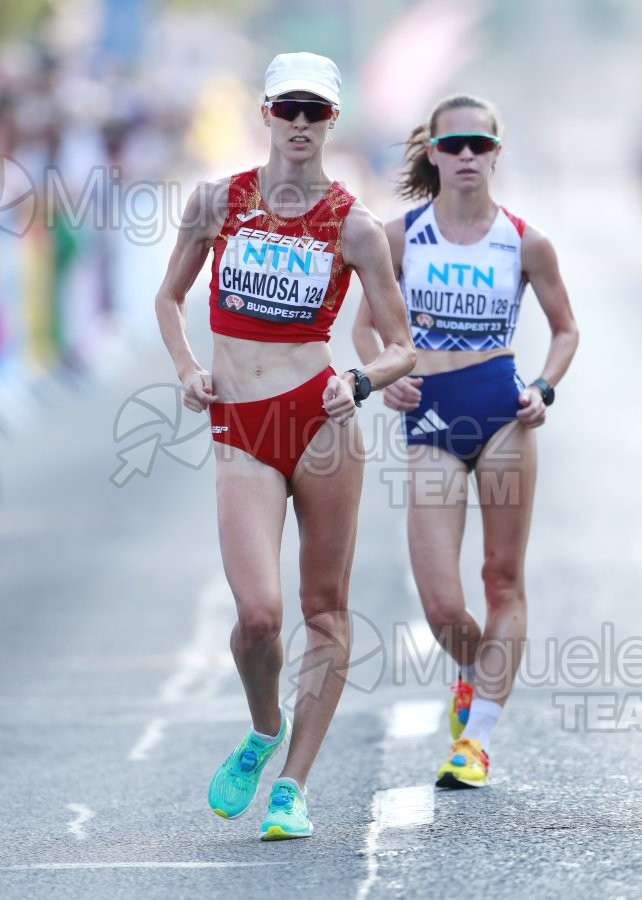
pixel 285 240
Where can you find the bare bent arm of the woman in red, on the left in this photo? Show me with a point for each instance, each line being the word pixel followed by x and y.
pixel 202 220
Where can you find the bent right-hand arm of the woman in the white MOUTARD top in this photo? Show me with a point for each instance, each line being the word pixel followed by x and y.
pixel 540 266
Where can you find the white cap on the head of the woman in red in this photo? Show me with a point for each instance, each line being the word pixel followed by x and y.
pixel 303 72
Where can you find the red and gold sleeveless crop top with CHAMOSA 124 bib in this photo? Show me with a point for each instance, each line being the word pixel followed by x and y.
pixel 278 279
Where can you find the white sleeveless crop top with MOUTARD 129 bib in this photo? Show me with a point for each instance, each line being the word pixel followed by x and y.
pixel 462 297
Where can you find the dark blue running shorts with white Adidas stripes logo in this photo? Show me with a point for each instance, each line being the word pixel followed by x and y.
pixel 460 411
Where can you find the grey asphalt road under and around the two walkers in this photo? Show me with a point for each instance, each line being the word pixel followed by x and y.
pixel 118 697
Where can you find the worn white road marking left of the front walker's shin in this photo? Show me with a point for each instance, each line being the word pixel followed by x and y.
pixel 206 660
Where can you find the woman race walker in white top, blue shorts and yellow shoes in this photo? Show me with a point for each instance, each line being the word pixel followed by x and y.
pixel 463 262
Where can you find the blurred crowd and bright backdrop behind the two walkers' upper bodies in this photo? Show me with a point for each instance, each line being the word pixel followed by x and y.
pixel 112 110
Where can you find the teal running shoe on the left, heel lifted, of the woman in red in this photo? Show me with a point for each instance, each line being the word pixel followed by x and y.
pixel 236 782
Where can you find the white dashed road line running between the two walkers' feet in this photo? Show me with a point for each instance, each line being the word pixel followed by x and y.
pixel 400 807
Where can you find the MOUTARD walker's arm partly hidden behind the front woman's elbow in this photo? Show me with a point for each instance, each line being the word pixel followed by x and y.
pixel 403 394
